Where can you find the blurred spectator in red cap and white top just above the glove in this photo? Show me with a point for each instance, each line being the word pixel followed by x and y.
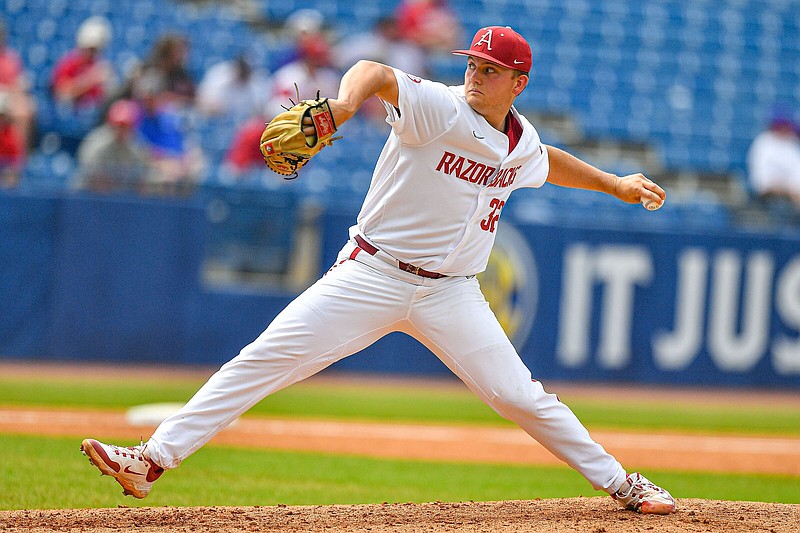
pixel 312 71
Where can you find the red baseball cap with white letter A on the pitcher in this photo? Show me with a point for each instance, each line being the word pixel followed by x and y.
pixel 501 45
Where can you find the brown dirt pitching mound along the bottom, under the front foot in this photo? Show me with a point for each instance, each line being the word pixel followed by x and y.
pixel 585 515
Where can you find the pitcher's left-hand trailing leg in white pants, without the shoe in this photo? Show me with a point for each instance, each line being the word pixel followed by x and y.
pixel 341 314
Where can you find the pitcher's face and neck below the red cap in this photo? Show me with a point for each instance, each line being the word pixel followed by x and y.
pixel 490 89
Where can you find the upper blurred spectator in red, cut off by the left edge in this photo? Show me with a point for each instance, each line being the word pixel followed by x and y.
pixel 13 81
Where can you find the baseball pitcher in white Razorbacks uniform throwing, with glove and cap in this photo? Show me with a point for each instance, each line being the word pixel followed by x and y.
pixel 452 159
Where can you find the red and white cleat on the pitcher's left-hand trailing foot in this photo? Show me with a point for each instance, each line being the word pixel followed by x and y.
pixel 129 466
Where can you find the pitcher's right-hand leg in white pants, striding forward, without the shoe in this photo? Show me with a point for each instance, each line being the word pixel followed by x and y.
pixel 458 326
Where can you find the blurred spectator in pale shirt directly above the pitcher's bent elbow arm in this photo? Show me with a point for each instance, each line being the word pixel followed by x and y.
pixel 381 44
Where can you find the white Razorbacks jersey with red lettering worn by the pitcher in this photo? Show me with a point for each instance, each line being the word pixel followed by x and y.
pixel 443 178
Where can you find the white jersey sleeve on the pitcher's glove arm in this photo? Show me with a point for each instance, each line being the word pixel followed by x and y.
pixel 427 109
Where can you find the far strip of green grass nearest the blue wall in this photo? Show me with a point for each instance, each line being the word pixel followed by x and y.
pixel 454 405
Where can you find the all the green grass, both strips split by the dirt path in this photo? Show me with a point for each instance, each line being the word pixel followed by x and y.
pixel 51 473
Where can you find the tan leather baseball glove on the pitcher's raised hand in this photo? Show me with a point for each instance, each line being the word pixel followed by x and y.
pixel 285 145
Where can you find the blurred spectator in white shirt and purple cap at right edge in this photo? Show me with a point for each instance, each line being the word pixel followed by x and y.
pixel 773 161
